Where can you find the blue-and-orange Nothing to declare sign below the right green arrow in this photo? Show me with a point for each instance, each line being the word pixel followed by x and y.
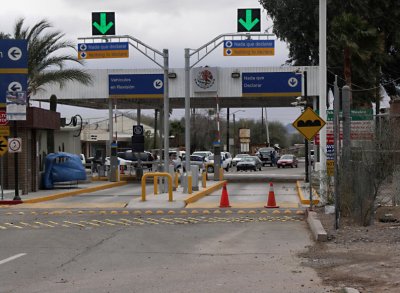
pixel 249 48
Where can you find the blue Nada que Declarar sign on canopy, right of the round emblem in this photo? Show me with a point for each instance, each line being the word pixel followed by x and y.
pixel 266 84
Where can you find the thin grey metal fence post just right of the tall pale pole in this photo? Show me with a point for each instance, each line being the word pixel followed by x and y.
pixel 336 137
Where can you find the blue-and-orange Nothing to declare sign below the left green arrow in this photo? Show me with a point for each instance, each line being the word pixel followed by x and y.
pixel 103 50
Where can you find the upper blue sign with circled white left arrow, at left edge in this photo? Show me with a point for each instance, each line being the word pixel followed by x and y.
pixel 13 56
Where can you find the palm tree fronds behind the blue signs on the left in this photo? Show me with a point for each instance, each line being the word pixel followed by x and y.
pixel 47 56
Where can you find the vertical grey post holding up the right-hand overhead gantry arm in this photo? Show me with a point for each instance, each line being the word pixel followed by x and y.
pixel 187 108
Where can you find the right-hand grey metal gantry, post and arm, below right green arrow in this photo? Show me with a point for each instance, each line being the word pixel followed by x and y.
pixel 201 53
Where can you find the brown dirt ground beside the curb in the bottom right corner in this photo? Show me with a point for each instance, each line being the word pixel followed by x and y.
pixel 365 258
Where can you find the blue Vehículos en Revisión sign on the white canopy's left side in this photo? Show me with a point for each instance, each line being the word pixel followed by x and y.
pixel 136 85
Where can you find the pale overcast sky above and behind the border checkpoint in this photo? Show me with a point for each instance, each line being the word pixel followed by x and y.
pixel 169 24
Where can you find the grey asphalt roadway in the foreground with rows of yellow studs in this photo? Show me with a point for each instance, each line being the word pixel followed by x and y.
pixel 116 251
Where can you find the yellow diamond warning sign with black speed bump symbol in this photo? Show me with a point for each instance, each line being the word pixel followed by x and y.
pixel 309 123
